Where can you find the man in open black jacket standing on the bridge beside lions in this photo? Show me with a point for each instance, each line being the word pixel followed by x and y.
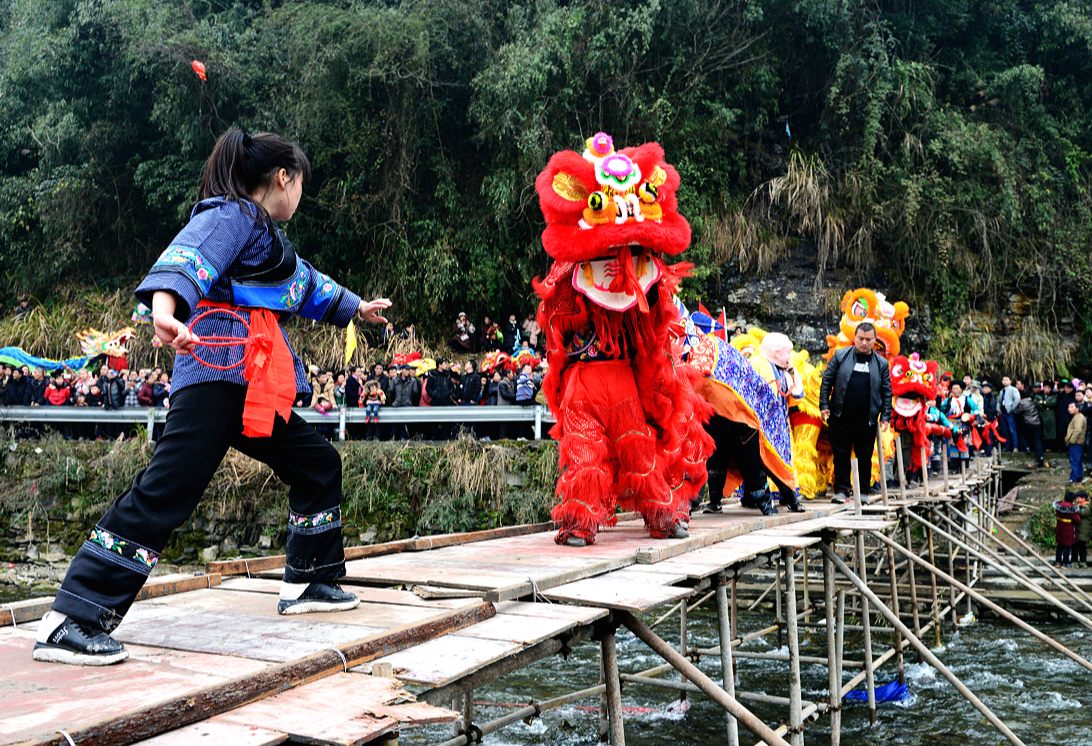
pixel 856 394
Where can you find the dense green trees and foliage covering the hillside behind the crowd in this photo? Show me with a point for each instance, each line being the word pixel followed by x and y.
pixel 945 141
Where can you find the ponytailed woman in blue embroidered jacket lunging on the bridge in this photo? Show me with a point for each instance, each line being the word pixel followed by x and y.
pixel 230 274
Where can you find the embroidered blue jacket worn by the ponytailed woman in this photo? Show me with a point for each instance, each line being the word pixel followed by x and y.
pixel 223 255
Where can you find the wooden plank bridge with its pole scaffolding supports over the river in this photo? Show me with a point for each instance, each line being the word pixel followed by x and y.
pixel 443 617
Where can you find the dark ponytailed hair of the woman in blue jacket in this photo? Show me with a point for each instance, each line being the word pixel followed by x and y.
pixel 242 164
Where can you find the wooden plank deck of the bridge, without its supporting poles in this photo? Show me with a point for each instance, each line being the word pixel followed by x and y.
pixel 221 630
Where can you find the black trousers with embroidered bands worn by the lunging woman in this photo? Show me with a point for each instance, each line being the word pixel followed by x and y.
pixel 205 421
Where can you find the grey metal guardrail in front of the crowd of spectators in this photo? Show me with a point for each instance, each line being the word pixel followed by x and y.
pixel 388 416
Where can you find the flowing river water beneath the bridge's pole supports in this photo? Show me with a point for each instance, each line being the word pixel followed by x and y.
pixel 1044 697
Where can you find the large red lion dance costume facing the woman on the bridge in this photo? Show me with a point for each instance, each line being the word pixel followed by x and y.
pixel 630 424
